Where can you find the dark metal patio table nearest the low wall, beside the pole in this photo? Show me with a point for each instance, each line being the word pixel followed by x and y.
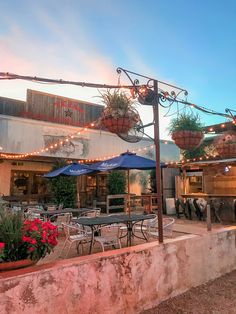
pixel 129 221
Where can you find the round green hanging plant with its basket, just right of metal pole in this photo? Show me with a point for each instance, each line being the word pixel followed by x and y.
pixel 186 131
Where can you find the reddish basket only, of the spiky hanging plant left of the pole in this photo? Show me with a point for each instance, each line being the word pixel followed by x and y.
pixel 117 125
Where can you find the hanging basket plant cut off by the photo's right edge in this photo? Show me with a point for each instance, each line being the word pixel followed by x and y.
pixel 226 144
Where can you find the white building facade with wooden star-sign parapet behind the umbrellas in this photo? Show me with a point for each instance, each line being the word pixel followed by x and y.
pixel 45 128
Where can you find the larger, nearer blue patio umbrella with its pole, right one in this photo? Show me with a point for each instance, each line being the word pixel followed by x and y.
pixel 125 161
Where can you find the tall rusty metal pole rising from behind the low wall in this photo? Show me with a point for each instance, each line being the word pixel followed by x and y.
pixel 158 162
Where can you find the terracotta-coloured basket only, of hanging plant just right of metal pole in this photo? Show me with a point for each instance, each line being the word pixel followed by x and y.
pixel 187 140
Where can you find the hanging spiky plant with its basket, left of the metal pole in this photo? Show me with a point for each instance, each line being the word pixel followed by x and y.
pixel 119 114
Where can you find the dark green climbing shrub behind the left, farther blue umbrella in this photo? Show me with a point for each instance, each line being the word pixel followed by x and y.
pixel 63 188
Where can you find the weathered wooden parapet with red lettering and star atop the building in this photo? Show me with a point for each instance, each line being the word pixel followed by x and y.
pixel 52 108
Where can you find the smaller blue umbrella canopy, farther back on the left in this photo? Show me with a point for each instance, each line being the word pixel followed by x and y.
pixel 73 169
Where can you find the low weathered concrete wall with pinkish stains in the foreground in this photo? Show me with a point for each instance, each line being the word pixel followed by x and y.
pixel 122 281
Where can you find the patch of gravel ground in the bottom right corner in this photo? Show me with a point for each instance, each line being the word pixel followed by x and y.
pixel 216 297
